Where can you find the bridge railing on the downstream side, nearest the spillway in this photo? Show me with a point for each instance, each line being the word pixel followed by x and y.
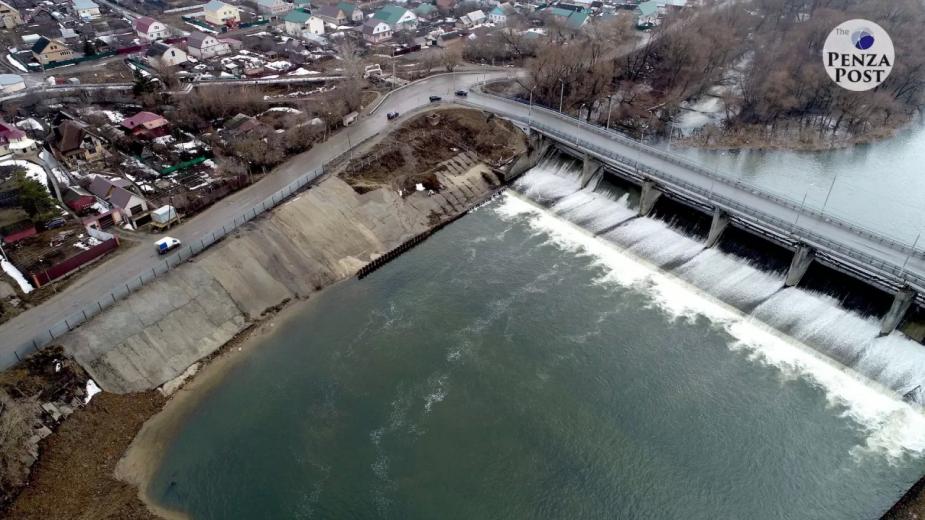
pixel 736 208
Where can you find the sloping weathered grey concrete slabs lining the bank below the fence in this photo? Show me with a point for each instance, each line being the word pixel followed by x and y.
pixel 321 236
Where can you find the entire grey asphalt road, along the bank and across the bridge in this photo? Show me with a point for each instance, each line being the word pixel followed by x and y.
pixel 97 284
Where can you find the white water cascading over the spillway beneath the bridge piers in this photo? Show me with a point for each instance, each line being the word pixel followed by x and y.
pixel 894 361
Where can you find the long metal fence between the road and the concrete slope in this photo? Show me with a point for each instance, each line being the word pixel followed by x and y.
pixel 135 283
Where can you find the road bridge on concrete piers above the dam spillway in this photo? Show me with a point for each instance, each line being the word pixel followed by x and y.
pixel 878 260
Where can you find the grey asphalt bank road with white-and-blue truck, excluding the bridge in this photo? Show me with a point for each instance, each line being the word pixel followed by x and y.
pixel 18 333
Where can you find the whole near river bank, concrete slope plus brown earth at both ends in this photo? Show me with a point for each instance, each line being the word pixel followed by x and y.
pixel 203 312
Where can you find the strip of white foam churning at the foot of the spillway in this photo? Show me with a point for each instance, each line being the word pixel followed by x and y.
pixel 892 427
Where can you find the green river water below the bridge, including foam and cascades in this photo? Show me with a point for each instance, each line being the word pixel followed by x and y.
pixel 553 356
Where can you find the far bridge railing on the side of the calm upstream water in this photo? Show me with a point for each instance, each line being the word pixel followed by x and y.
pixel 685 162
